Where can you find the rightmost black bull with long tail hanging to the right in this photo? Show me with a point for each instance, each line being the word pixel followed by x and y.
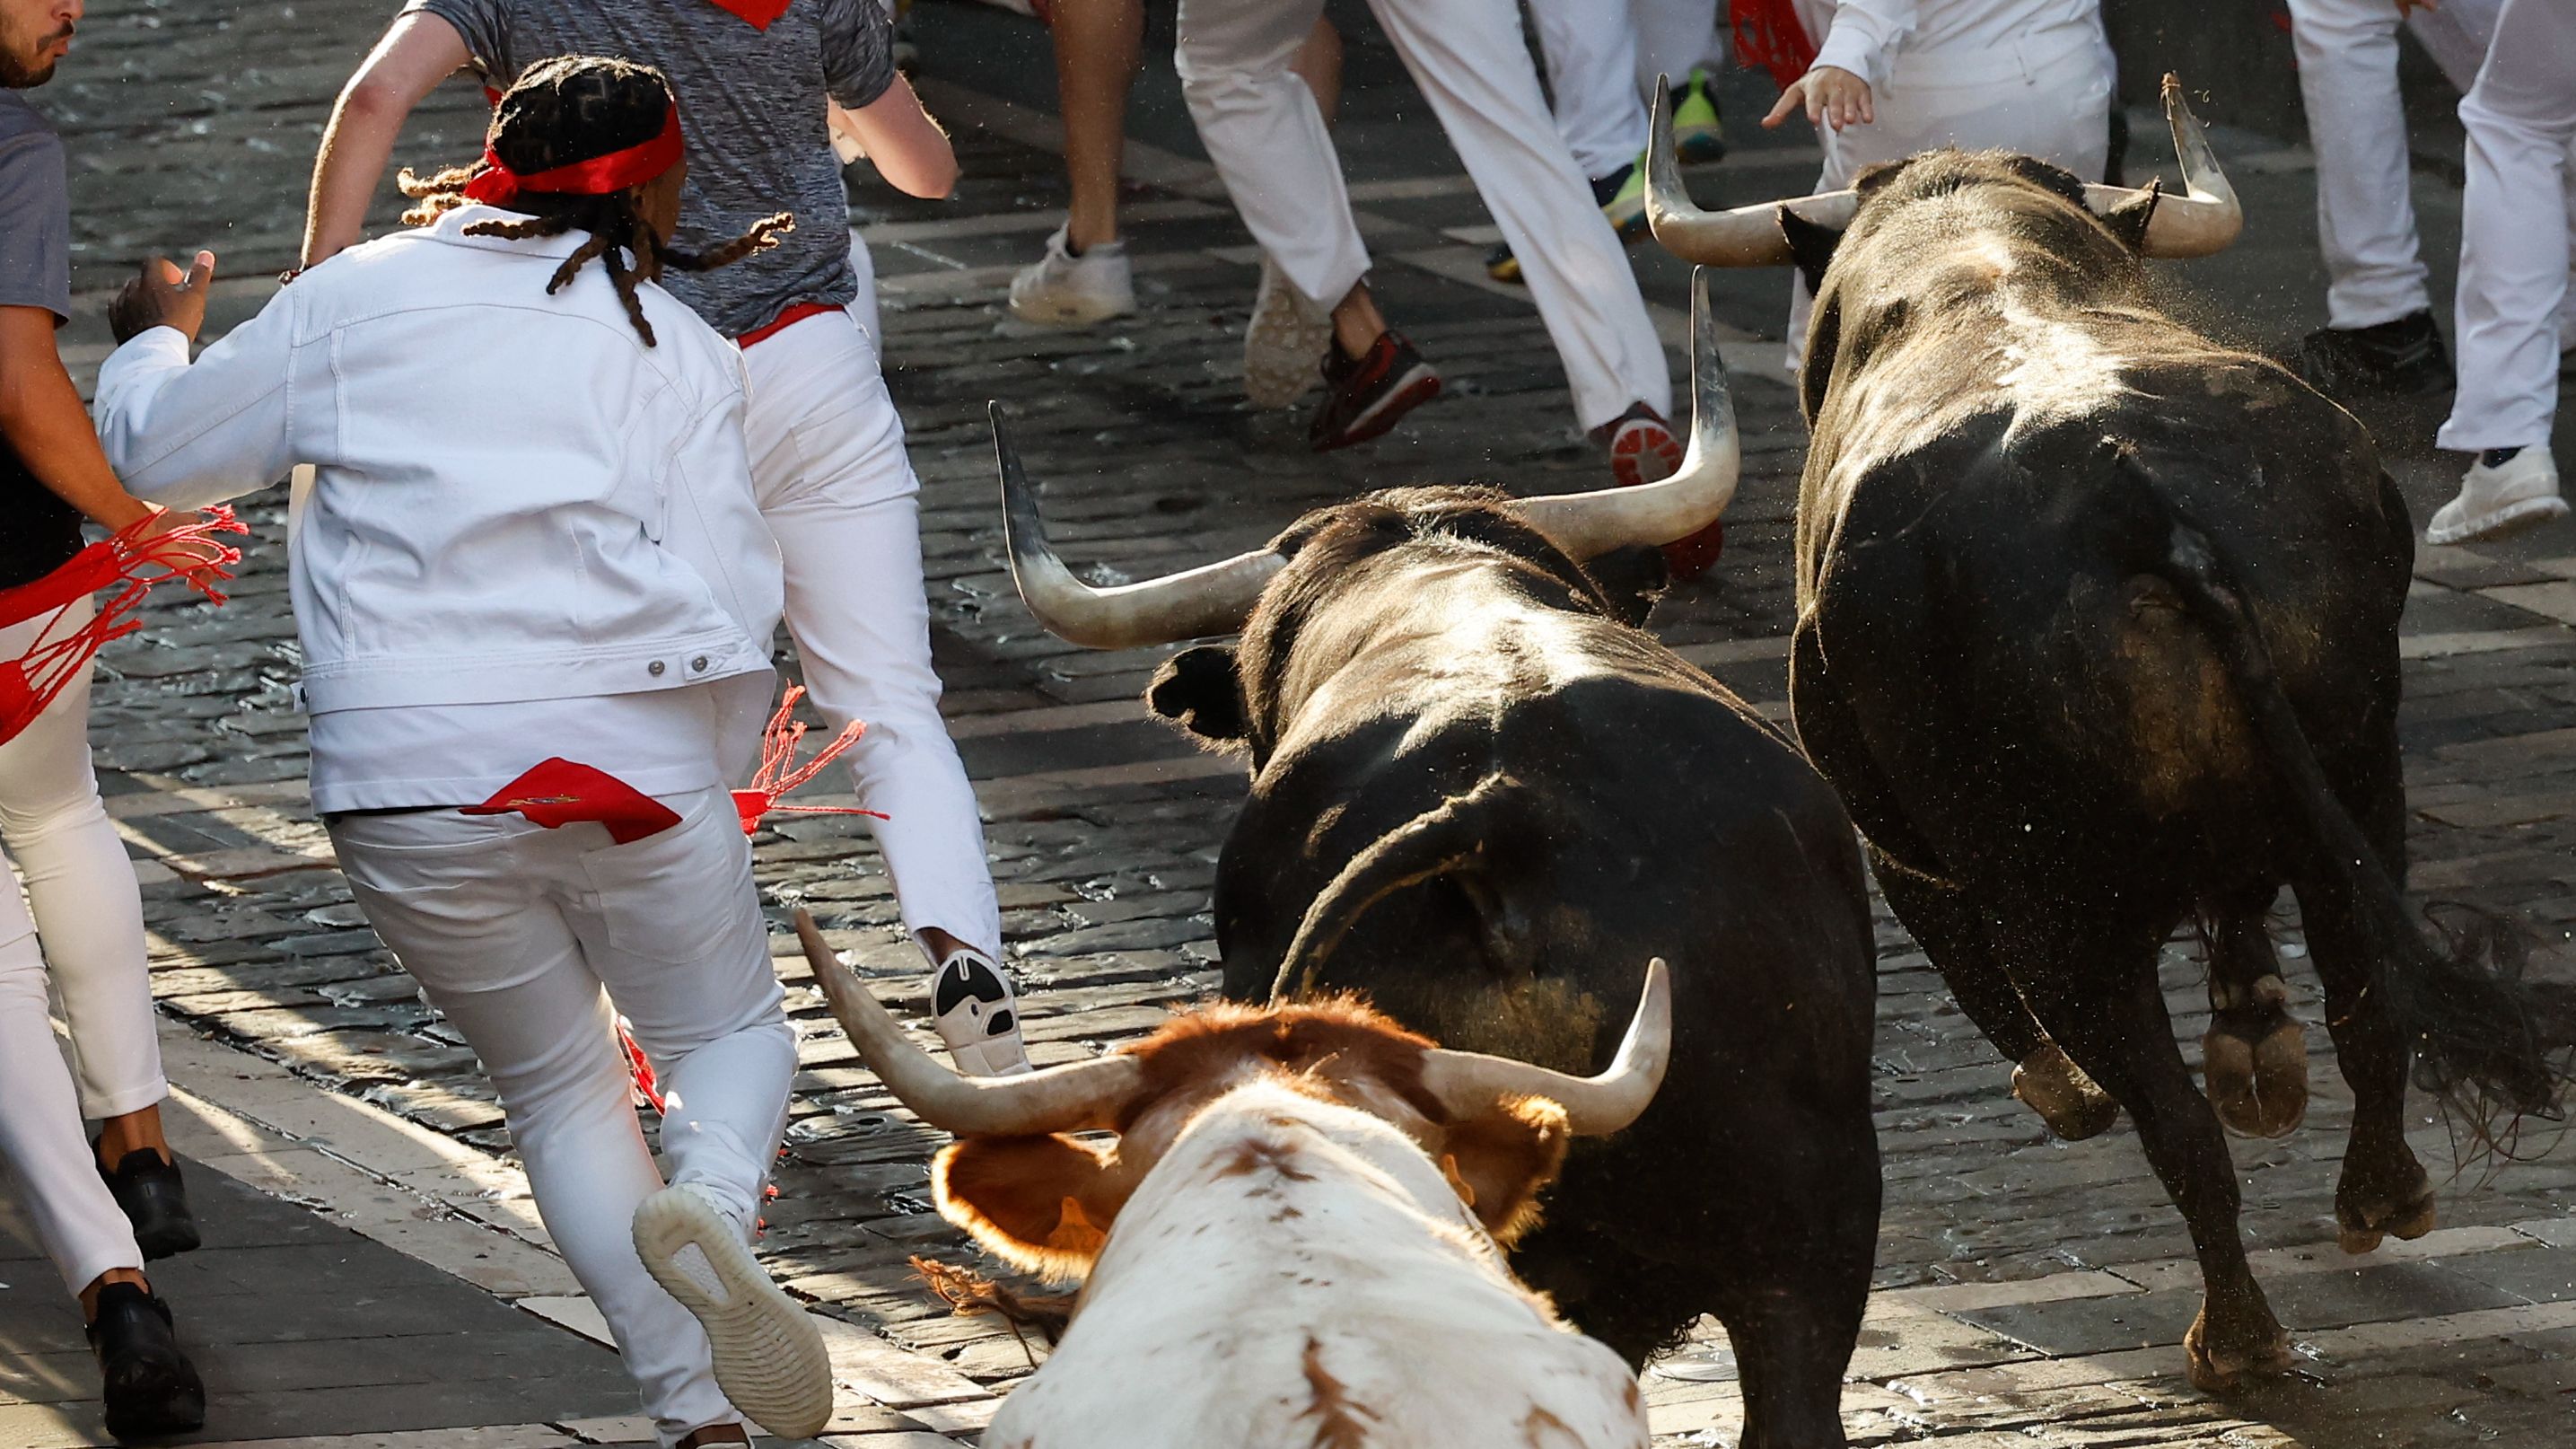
pixel 2098 628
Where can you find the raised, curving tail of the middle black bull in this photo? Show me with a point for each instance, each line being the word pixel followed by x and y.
pixel 1454 839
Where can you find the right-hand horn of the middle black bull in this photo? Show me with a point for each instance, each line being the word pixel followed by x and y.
pixel 1588 525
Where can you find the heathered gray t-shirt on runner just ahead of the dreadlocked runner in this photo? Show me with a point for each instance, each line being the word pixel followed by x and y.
pixel 753 115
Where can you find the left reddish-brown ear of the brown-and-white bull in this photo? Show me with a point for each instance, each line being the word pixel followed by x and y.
pixel 1037 1203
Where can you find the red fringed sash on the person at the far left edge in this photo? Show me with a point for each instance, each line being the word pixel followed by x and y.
pixel 130 563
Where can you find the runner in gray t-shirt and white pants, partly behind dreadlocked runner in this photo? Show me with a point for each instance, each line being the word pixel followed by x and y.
pixel 828 450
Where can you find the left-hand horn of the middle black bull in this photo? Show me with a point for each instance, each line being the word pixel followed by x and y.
pixel 1209 599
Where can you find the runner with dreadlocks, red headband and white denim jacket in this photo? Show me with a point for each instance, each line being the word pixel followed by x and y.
pixel 532 530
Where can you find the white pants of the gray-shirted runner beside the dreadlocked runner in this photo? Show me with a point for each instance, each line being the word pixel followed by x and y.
pixel 838 491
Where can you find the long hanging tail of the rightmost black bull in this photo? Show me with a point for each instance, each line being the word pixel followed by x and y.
pixel 2479 1035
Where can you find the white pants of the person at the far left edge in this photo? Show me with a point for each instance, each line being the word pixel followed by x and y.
pixel 91 924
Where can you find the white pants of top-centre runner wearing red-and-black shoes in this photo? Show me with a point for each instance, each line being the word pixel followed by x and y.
pixel 1269 141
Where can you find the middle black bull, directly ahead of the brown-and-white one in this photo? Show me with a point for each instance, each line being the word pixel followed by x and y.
pixel 1485 801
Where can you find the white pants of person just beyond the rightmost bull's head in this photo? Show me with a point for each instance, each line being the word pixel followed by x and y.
pixel 2047 97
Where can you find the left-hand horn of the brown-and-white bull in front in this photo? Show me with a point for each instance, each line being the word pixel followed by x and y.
pixel 1057 1100
